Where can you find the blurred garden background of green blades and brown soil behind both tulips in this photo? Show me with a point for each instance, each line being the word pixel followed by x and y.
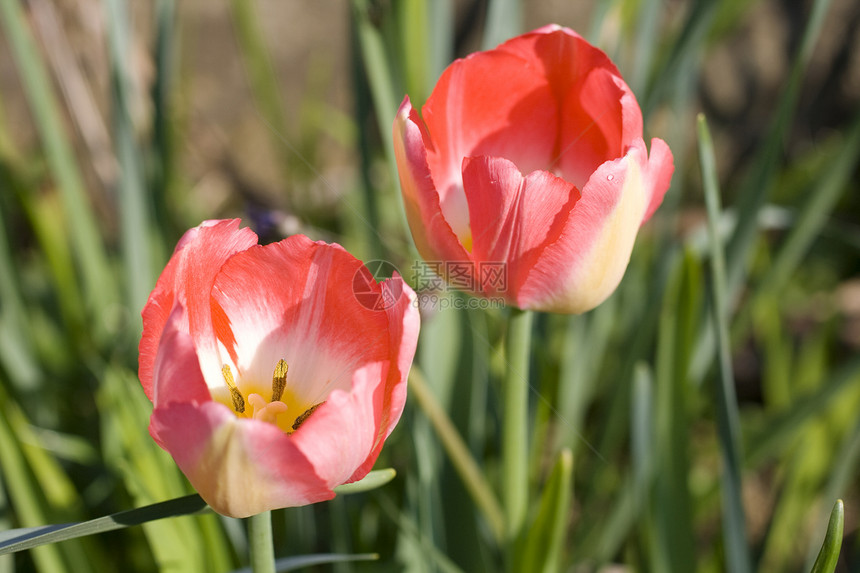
pixel 122 124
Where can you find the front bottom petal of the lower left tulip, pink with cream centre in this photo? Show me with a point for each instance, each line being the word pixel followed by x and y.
pixel 240 467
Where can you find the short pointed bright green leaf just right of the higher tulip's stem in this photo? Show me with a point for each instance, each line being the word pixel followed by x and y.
pixel 542 546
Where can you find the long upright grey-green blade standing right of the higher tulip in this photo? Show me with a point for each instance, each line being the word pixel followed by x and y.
pixel 728 424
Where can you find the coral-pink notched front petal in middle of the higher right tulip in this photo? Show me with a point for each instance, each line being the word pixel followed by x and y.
pixel 513 217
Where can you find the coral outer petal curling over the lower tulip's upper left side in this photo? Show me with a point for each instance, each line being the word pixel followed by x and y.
pixel 187 279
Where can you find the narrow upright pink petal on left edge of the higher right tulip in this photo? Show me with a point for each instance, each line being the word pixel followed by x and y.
pixel 432 233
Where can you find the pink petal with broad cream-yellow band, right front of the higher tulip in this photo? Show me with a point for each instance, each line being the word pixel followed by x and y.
pixel 584 266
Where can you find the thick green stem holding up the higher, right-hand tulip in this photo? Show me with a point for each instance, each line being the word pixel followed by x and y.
pixel 515 423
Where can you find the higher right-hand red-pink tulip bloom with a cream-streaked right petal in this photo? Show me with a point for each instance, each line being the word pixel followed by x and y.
pixel 531 156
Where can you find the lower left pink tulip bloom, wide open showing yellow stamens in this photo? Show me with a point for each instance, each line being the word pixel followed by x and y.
pixel 271 382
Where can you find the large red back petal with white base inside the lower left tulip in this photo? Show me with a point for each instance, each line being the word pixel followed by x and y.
pixel 293 300
